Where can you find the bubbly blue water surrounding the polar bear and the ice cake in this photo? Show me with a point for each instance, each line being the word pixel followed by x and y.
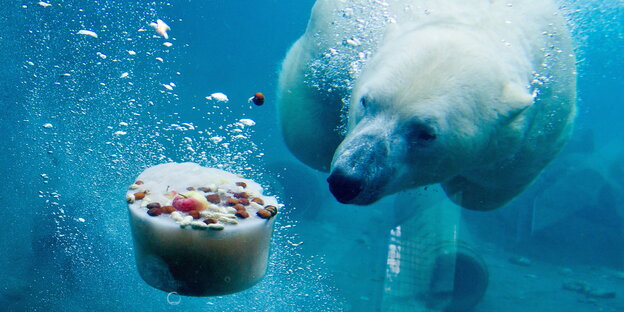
pixel 66 244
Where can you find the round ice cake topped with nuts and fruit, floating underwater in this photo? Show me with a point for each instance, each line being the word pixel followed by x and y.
pixel 199 231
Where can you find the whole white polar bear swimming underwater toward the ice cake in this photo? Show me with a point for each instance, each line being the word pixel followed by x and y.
pixel 478 96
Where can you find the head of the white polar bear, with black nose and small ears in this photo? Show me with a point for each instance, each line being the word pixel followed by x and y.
pixel 431 104
